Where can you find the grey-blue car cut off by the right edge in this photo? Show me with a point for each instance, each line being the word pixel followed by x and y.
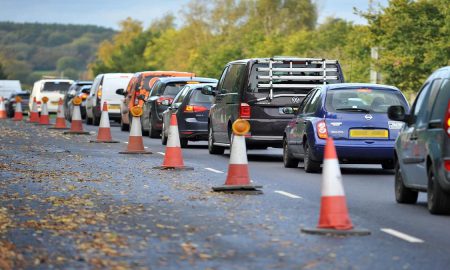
pixel 422 149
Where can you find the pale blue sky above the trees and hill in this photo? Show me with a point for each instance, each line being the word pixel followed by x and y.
pixel 109 13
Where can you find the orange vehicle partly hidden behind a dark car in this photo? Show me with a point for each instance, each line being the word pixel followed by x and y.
pixel 140 85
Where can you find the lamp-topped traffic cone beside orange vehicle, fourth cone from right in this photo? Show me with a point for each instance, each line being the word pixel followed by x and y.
pixel 135 141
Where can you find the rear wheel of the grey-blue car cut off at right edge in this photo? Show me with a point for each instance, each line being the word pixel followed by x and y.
pixel 438 200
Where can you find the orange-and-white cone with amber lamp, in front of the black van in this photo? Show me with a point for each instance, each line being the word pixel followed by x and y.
pixel 238 177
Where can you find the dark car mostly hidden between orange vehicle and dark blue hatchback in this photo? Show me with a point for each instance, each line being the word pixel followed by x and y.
pixel 161 96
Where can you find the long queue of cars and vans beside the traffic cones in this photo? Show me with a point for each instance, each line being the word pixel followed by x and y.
pixel 291 103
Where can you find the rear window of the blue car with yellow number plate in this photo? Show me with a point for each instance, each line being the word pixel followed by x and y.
pixel 366 100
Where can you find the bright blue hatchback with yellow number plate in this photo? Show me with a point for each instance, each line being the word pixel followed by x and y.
pixel 354 115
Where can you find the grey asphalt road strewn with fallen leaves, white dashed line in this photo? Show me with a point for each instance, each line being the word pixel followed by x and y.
pixel 71 203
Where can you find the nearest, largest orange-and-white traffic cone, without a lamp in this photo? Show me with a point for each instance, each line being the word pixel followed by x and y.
pixel 334 217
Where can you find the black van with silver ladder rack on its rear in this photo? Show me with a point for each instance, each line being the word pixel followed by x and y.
pixel 266 92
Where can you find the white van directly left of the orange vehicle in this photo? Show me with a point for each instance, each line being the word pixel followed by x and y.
pixel 104 89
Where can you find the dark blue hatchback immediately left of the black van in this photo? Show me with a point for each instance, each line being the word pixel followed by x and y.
pixel 191 107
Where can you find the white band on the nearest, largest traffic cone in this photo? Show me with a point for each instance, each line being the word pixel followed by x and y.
pixel 332 178
